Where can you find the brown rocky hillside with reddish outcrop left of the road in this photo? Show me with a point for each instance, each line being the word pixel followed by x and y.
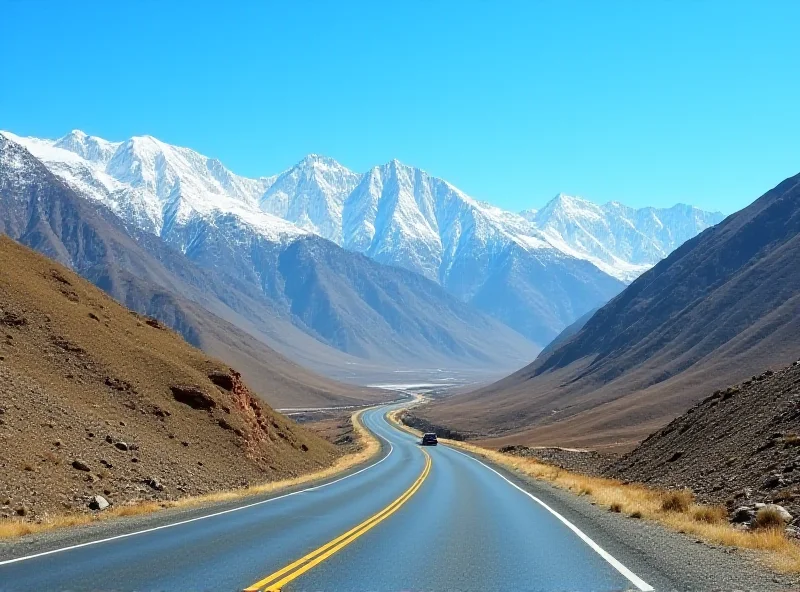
pixel 98 400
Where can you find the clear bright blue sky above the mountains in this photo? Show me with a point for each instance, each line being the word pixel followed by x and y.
pixel 646 102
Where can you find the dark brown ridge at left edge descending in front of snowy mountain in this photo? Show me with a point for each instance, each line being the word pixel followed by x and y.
pixel 140 271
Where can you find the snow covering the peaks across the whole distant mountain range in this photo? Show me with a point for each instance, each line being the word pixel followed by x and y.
pixel 394 213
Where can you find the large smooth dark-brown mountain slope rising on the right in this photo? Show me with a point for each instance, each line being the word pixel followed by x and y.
pixel 720 308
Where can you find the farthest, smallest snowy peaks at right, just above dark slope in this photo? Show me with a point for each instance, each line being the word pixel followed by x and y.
pixel 622 241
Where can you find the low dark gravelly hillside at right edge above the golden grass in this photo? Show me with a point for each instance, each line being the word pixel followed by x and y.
pixel 739 446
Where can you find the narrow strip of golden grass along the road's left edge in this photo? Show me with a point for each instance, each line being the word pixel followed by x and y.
pixel 369 446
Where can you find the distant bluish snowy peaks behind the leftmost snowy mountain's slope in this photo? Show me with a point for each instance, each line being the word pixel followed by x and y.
pixel 536 274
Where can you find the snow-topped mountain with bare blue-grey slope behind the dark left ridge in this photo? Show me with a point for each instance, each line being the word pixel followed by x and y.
pixel 379 317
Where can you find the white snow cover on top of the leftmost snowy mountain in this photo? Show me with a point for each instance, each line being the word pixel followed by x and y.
pixel 160 188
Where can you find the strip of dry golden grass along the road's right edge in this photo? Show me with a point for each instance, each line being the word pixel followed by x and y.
pixel 674 509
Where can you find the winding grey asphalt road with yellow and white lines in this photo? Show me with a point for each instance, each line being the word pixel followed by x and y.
pixel 414 519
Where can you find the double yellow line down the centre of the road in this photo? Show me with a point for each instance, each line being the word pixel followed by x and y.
pixel 280 578
